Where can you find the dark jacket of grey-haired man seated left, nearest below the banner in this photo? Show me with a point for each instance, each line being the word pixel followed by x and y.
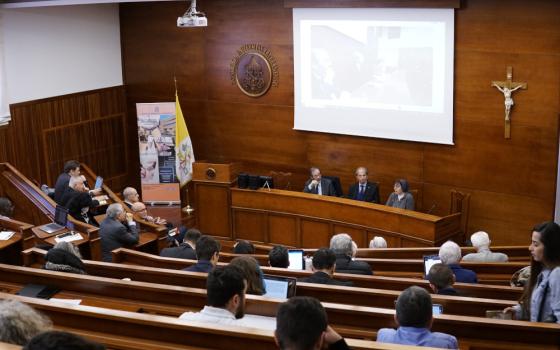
pixel 115 234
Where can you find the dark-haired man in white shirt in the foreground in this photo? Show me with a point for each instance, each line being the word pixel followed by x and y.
pixel 226 288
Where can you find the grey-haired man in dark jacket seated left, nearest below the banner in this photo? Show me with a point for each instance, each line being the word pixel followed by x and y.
pixel 117 230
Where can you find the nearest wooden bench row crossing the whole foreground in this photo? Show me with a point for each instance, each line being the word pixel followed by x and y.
pixel 352 321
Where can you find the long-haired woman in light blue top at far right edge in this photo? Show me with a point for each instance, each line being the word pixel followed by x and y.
pixel 541 298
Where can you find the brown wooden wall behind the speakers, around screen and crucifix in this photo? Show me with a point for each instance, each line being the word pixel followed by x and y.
pixel 512 182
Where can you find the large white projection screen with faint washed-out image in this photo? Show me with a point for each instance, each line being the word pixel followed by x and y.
pixel 375 72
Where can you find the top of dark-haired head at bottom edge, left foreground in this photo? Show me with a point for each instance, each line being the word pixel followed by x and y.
pixel 57 340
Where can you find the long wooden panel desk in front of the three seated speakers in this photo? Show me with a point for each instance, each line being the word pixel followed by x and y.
pixel 309 220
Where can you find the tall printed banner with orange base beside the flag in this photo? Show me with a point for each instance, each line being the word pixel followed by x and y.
pixel 156 141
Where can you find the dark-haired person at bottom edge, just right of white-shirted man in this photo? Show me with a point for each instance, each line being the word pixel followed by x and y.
pixel 302 324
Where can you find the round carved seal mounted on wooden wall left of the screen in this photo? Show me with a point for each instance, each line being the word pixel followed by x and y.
pixel 254 70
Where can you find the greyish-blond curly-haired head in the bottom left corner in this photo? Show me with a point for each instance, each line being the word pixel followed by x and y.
pixel 19 322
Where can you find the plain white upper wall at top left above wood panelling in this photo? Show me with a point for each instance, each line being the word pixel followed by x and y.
pixel 52 51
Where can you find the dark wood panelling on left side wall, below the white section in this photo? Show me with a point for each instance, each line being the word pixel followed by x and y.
pixel 90 126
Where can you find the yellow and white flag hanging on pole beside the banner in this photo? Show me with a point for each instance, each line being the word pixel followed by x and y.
pixel 183 147
